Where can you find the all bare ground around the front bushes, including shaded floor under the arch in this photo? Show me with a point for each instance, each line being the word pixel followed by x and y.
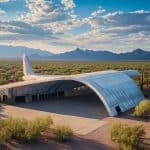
pixel 88 119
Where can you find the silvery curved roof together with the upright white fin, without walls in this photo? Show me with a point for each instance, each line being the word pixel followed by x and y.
pixel 114 88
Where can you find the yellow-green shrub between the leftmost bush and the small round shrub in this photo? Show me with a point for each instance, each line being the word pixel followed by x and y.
pixel 34 128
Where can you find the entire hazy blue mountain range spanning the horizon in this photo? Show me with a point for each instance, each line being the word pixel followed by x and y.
pixel 10 52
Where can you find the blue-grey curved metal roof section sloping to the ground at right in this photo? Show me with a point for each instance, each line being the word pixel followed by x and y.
pixel 114 88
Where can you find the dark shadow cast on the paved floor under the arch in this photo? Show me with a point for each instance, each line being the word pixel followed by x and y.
pixel 83 106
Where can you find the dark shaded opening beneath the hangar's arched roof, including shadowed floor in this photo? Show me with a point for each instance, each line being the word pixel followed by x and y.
pixel 71 98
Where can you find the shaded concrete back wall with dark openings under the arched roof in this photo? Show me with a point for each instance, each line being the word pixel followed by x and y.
pixel 42 91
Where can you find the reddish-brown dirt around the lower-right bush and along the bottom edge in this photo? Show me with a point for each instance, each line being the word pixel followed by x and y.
pixel 96 140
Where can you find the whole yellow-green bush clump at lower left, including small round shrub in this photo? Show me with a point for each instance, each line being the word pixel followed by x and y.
pixel 28 131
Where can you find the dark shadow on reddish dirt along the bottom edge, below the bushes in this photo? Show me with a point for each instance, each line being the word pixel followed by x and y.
pixel 77 143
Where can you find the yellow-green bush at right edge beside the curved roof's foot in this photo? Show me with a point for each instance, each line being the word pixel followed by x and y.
pixel 143 109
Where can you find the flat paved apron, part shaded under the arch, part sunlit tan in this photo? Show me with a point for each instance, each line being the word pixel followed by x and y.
pixel 83 114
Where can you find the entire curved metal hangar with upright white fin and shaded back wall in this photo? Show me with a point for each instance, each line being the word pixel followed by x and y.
pixel 116 89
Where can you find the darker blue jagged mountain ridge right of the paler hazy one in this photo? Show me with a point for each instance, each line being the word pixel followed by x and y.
pixel 101 55
